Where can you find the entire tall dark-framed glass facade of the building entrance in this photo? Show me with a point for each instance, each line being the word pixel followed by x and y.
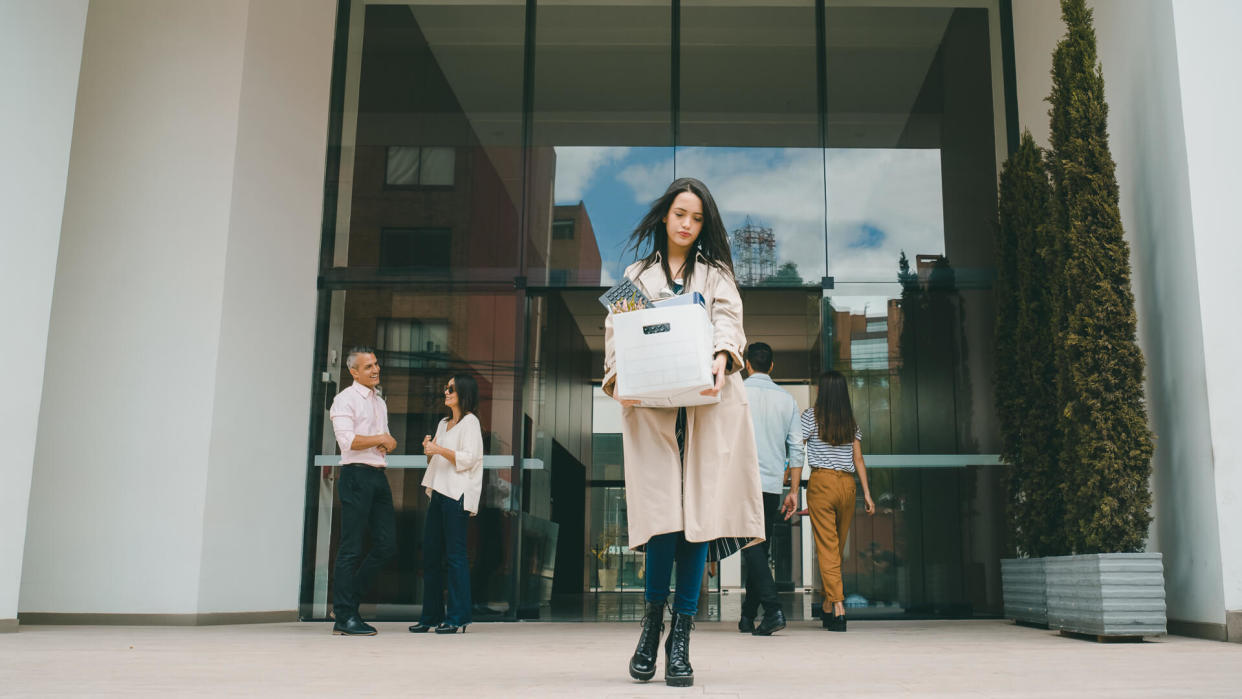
pixel 487 163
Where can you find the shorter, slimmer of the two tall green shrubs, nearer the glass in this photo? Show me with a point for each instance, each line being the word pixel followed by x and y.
pixel 1027 398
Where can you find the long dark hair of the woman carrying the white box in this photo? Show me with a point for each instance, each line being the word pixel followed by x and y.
pixel 712 244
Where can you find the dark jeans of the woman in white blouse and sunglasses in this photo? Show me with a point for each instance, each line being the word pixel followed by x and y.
pixel 444 547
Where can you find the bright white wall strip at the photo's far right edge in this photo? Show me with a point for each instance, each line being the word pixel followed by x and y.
pixel 1209 55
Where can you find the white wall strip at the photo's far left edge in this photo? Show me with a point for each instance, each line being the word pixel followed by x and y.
pixel 40 56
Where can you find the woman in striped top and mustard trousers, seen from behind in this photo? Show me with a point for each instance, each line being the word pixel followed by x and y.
pixel 834 451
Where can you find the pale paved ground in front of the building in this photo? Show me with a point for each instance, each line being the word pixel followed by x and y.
pixel 948 659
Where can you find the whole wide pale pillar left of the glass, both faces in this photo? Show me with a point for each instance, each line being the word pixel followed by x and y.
pixel 171 456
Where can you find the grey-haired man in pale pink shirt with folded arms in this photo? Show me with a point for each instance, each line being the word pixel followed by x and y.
pixel 360 419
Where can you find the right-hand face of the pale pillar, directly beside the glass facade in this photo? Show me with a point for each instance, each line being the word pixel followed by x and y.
pixel 258 464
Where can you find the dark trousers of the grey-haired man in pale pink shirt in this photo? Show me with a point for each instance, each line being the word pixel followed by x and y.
pixel 366 502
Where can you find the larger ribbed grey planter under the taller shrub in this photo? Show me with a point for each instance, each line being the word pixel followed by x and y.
pixel 1107 594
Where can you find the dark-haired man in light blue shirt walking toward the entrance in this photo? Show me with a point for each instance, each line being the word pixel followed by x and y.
pixel 778 436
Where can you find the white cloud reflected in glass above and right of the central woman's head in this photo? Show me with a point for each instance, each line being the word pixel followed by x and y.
pixel 880 202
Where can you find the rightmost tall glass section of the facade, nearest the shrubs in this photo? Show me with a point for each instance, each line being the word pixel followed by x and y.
pixel 911 168
